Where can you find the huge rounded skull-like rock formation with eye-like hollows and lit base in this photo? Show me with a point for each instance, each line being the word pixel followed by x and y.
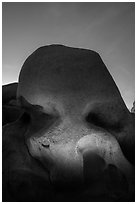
pixel 75 140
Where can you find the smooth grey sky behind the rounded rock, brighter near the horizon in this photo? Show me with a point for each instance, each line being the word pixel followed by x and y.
pixel 107 28
